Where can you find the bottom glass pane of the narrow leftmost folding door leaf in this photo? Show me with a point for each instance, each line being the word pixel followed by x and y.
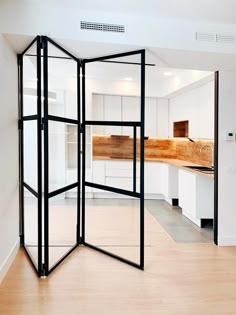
pixel 31 225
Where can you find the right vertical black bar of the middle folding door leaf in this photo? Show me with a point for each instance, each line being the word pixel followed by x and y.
pixel 78 152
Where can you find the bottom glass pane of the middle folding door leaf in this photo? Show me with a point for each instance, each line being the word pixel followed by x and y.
pixel 62 225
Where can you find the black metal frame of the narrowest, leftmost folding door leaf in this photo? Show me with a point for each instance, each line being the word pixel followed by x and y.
pixel 22 183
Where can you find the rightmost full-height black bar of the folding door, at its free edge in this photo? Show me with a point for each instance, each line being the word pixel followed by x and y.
pixel 142 159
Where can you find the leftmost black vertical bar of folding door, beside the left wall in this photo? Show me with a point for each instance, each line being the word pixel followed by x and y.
pixel 21 152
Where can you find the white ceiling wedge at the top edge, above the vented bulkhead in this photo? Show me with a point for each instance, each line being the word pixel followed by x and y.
pixel 211 11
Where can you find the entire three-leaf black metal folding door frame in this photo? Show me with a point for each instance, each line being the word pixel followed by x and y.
pixel 42 125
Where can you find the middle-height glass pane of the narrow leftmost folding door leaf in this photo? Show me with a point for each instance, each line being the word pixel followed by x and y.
pixel 30 154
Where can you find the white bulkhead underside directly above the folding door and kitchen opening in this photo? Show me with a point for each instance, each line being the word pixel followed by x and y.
pixel 164 58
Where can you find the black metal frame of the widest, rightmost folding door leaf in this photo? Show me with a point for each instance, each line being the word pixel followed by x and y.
pixel 134 125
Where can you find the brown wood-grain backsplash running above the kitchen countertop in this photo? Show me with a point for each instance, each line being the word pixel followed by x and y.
pixel 121 147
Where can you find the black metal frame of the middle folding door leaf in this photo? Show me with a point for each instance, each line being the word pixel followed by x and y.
pixel 46 119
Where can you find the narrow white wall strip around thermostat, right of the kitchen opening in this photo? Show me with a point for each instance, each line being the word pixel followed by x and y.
pixel 227 159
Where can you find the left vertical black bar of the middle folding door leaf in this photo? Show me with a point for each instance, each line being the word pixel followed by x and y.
pixel 45 121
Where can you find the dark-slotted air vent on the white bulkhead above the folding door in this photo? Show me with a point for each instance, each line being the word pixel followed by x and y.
pixel 104 27
